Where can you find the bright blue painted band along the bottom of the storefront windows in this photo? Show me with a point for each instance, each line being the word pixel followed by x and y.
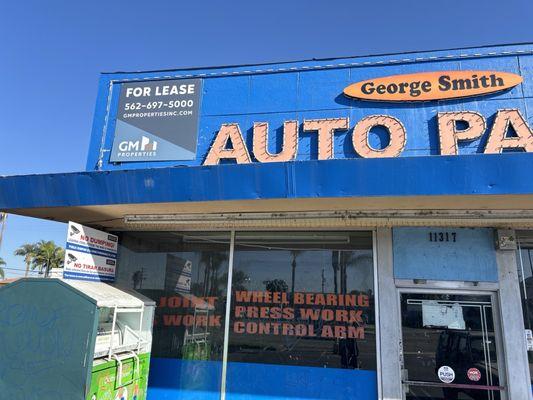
pixel 254 381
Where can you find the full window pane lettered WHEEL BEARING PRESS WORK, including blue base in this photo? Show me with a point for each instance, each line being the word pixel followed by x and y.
pixel 302 316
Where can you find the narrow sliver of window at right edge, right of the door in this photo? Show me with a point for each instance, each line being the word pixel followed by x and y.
pixel 524 258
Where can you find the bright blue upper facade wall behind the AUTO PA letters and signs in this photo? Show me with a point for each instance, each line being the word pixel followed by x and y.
pixel 313 89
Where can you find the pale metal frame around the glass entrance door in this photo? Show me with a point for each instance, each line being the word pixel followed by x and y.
pixel 446 288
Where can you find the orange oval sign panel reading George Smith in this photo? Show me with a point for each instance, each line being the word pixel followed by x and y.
pixel 426 86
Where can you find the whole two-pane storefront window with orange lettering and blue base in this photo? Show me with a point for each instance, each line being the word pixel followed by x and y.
pixel 302 317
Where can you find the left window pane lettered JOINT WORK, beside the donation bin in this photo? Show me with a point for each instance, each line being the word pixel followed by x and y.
pixel 186 274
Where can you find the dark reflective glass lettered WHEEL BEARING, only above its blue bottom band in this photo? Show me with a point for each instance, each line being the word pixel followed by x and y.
pixel 304 299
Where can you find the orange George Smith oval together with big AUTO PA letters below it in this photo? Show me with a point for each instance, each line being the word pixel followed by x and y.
pixel 509 130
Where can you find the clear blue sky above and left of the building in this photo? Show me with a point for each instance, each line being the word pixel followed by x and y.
pixel 51 53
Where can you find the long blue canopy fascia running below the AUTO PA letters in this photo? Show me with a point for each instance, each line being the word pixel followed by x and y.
pixel 450 175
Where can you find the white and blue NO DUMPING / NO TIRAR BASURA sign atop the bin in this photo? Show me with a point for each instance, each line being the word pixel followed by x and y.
pixel 90 254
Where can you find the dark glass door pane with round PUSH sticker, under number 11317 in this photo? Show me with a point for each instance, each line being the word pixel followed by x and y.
pixel 449 347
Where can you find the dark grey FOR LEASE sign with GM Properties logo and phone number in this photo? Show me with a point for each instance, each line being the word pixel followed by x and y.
pixel 157 121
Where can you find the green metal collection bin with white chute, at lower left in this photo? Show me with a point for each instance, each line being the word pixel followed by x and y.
pixel 76 340
